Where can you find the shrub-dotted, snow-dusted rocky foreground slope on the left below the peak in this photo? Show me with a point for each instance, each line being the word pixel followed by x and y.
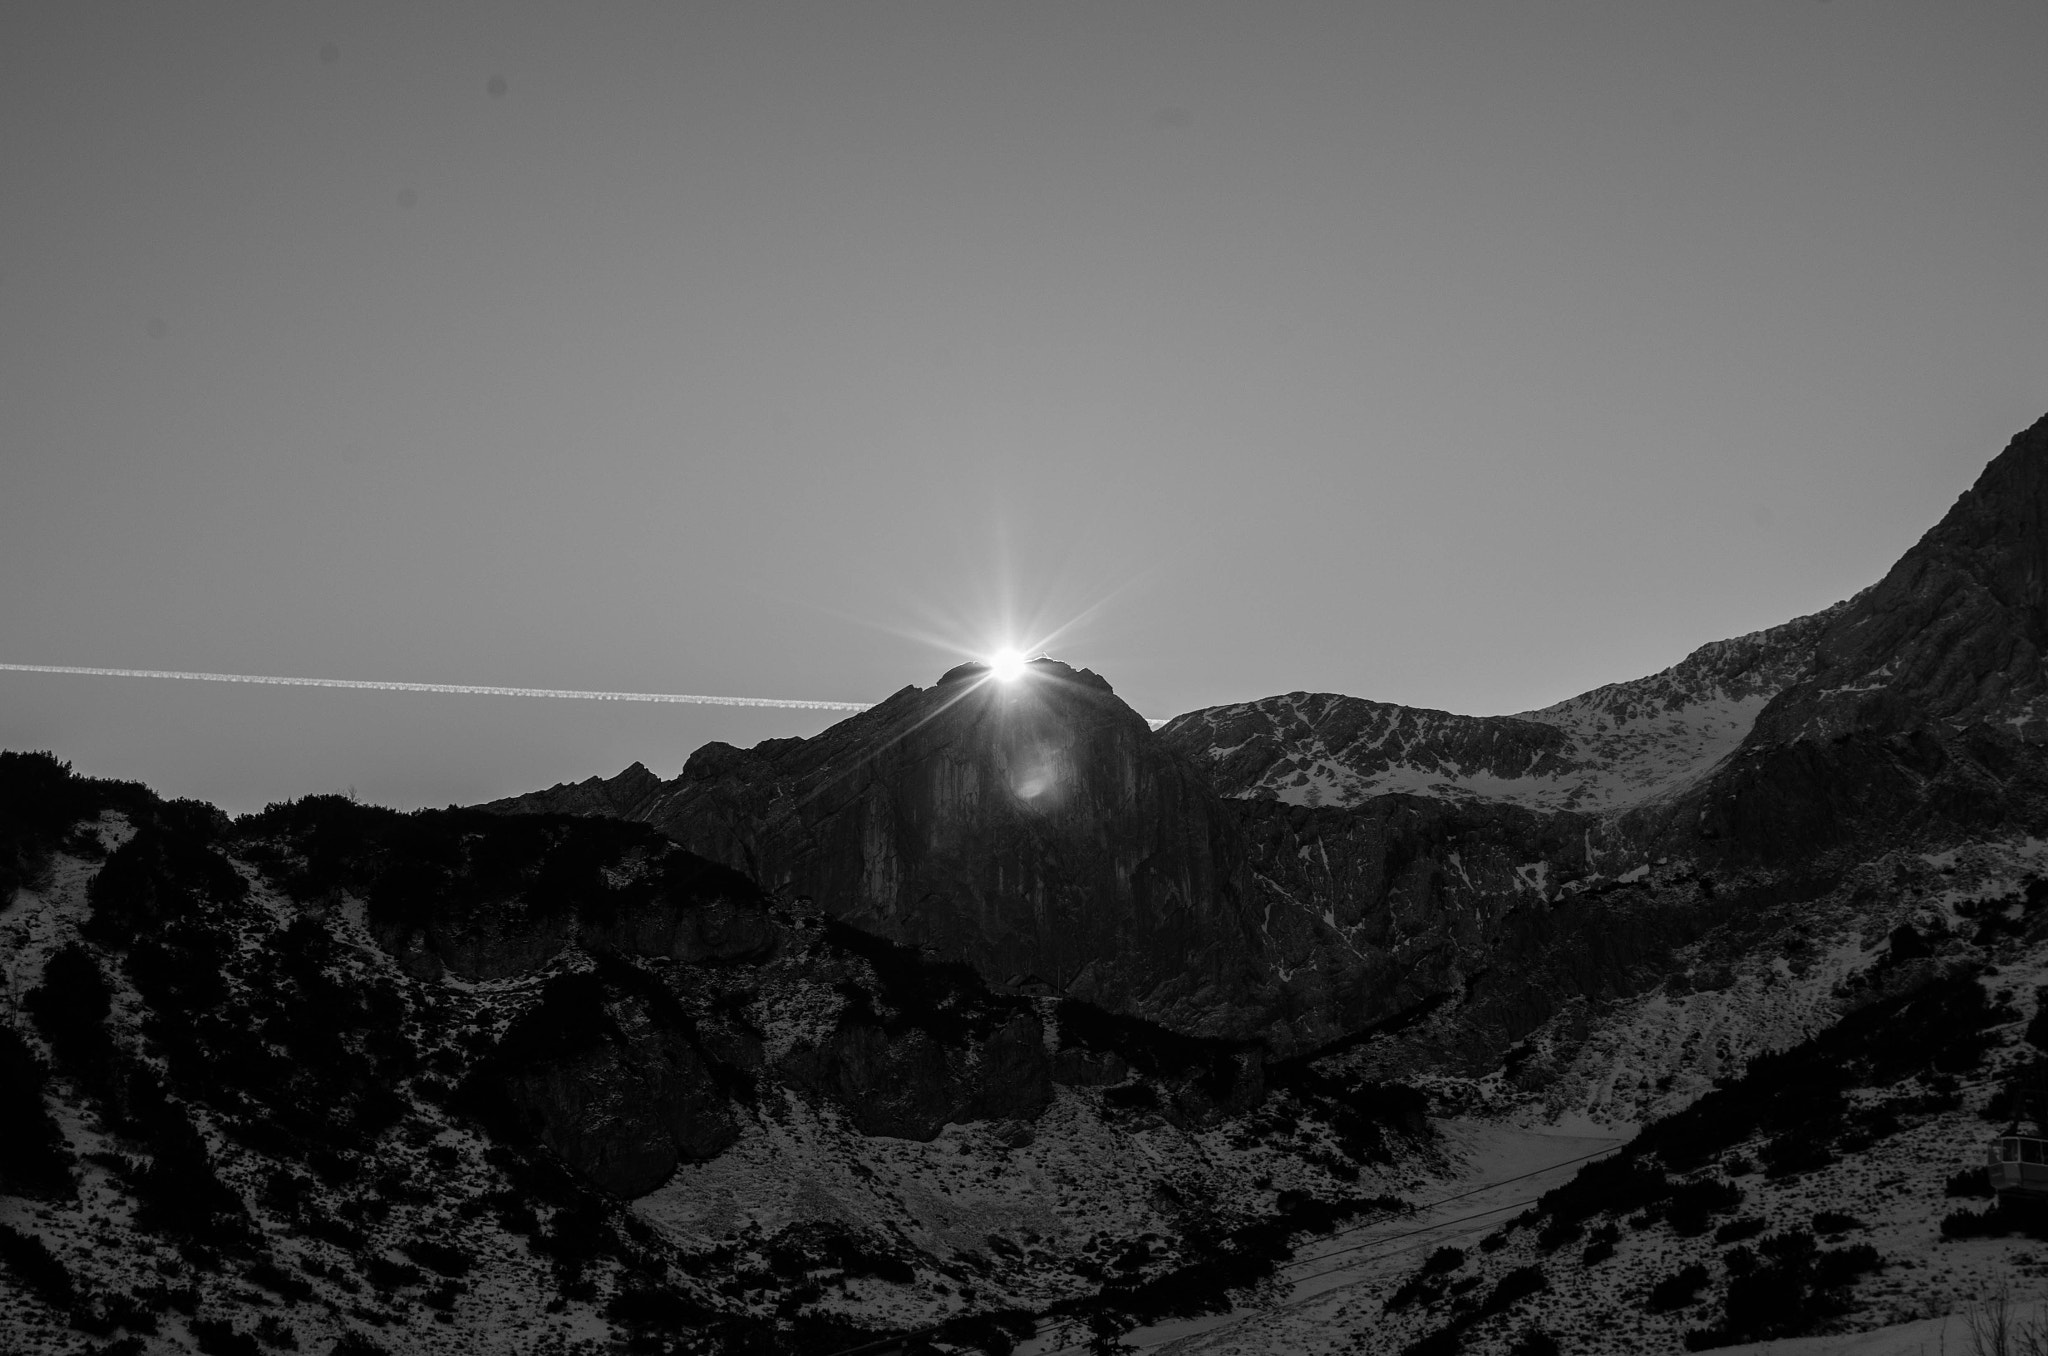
pixel 337 1078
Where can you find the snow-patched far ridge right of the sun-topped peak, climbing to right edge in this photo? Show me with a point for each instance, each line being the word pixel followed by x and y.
pixel 1955 636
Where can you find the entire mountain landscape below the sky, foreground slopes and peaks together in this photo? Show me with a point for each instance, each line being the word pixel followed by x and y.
pixel 990 1011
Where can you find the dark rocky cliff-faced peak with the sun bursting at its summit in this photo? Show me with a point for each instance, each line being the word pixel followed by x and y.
pixel 1035 831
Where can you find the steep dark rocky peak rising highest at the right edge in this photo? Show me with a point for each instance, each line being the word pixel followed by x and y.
pixel 1924 718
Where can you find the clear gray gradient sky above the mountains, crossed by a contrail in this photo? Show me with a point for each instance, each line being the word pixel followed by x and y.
pixel 1461 355
